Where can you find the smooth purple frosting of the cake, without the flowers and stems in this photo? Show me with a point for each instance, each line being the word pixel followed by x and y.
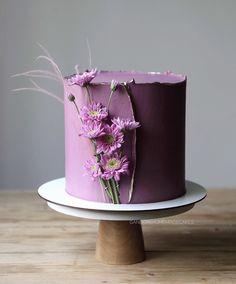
pixel 158 101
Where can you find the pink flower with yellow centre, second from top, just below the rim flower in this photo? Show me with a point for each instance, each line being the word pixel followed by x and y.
pixel 93 112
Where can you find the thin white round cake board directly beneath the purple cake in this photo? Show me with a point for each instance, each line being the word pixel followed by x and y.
pixel 54 192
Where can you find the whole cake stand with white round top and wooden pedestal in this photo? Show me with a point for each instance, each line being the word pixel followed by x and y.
pixel 120 237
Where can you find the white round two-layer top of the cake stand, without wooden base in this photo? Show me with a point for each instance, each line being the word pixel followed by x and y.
pixel 58 199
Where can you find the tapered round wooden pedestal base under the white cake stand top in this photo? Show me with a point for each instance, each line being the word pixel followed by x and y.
pixel 120 242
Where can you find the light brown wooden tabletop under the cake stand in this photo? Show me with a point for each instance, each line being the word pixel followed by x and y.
pixel 38 245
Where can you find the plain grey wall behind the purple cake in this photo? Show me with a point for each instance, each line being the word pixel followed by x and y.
pixel 197 38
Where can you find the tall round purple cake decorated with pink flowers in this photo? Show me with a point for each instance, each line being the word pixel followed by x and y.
pixel 125 136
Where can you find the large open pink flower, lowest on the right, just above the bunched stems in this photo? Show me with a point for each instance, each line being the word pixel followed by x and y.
pixel 113 166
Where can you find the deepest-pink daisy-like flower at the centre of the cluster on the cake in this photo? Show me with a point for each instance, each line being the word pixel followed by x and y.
pixel 111 140
